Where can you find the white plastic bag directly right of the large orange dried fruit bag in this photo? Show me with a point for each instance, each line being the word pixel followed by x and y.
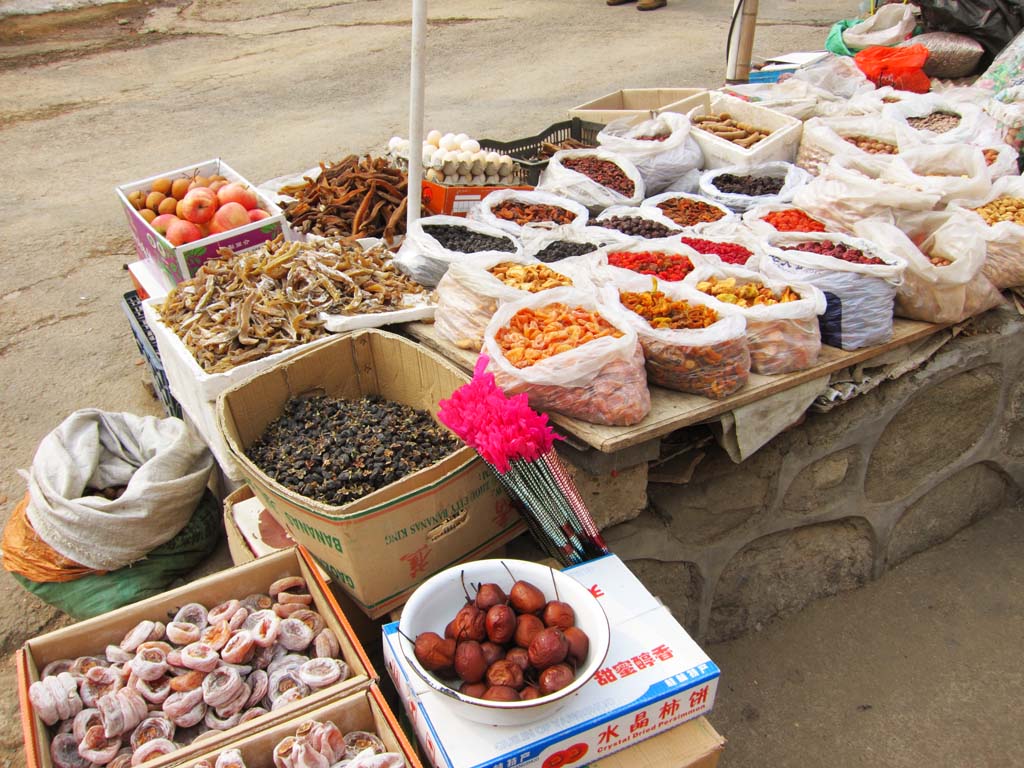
pixel 712 362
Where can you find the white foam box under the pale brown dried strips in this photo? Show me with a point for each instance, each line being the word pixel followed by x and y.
pixel 197 391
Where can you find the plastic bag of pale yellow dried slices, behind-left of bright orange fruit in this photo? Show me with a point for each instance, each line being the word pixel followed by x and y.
pixel 471 292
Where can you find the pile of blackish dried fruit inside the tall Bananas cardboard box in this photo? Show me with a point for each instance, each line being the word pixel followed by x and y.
pixel 336 451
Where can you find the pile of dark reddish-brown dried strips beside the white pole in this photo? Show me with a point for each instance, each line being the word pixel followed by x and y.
pixel 353 198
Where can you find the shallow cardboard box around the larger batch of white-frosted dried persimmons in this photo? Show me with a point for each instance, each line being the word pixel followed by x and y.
pixel 93 636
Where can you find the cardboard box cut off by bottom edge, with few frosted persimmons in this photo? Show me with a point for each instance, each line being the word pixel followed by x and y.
pixel 365 711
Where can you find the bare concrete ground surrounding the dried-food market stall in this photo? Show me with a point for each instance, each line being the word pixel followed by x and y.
pixel 103 96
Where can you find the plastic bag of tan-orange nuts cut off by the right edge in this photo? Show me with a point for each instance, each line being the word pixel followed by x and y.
pixel 999 218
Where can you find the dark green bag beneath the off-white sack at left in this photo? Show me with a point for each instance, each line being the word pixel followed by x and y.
pixel 96 594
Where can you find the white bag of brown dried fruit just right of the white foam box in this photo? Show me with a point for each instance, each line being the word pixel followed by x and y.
pixel 825 138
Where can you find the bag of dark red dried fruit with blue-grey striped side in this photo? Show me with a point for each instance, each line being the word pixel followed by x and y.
pixel 860 294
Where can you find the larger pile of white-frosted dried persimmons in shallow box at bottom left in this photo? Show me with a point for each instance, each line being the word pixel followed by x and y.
pixel 150 695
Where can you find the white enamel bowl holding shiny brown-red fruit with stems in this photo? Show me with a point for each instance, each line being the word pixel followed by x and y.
pixel 438 601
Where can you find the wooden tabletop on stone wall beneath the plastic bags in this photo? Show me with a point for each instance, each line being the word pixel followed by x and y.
pixel 670 410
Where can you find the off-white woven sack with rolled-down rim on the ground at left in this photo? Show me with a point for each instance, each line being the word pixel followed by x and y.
pixel 163 465
